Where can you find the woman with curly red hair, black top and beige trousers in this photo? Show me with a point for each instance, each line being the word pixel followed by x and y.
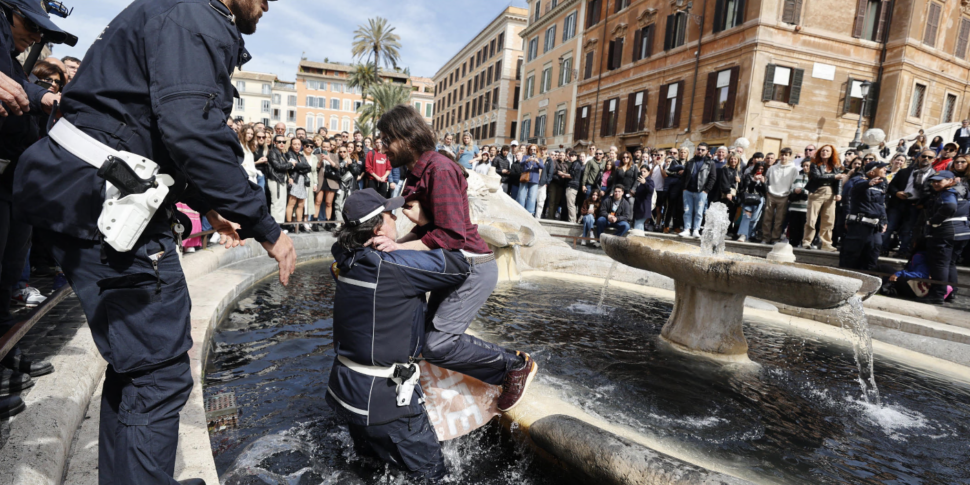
pixel 824 185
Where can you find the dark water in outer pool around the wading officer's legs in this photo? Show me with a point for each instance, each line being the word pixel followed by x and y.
pixel 274 352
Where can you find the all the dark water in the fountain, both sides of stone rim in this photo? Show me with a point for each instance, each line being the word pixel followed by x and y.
pixel 799 418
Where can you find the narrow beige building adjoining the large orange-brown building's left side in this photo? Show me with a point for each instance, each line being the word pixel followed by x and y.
pixel 551 46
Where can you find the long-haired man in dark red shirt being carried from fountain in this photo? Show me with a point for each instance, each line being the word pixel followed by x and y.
pixel 437 184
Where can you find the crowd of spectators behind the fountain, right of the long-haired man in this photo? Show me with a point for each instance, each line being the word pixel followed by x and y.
pixel 801 198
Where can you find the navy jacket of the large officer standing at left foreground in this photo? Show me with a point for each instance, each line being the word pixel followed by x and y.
pixel 155 82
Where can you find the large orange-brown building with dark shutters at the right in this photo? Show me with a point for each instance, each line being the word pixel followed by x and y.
pixel 777 72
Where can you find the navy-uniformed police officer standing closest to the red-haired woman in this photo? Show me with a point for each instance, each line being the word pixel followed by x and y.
pixel 865 220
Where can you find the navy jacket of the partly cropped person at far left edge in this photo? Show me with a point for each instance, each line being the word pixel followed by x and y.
pixel 16 132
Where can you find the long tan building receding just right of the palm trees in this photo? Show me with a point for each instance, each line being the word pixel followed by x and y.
pixel 477 90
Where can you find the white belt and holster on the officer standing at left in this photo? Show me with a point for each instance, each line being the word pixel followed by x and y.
pixel 122 219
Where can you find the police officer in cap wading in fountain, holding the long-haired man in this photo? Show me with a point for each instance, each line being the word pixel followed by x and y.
pixel 378 328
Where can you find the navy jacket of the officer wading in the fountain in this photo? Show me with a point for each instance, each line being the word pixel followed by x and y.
pixel 379 320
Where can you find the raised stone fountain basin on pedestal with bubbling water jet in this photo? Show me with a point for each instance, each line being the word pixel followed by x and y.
pixel 710 288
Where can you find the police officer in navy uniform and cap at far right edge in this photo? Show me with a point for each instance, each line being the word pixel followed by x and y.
pixel 947 231
